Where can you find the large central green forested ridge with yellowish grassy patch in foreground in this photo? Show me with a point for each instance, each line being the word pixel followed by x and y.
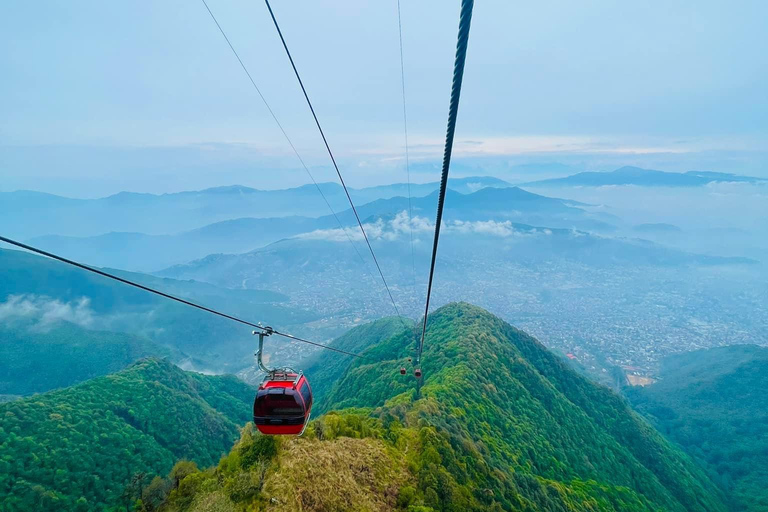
pixel 500 424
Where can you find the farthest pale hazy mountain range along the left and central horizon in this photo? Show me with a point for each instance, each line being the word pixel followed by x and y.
pixel 26 214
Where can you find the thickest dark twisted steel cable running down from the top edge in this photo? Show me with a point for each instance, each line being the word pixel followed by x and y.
pixel 458 75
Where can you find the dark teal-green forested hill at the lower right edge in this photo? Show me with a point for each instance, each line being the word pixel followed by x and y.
pixel 713 403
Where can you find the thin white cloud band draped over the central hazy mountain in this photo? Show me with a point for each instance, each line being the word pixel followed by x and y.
pixel 400 228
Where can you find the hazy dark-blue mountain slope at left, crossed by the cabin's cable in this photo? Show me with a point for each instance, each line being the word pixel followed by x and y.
pixel 216 343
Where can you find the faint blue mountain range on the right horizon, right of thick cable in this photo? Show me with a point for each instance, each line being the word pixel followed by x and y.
pixel 644 178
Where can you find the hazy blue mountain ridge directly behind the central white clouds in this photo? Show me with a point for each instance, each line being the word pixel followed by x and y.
pixel 143 252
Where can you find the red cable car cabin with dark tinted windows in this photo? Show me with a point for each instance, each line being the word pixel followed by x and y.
pixel 283 404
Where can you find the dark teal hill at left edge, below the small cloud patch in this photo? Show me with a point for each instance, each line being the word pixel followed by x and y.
pixel 34 360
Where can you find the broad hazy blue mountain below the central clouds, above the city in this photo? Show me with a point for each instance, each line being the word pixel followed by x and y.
pixel 325 260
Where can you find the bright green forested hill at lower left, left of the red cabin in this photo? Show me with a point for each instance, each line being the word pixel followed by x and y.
pixel 78 448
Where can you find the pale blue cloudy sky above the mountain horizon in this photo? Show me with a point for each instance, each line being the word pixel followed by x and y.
pixel 98 97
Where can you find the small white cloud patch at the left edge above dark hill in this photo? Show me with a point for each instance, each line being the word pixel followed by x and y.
pixel 45 311
